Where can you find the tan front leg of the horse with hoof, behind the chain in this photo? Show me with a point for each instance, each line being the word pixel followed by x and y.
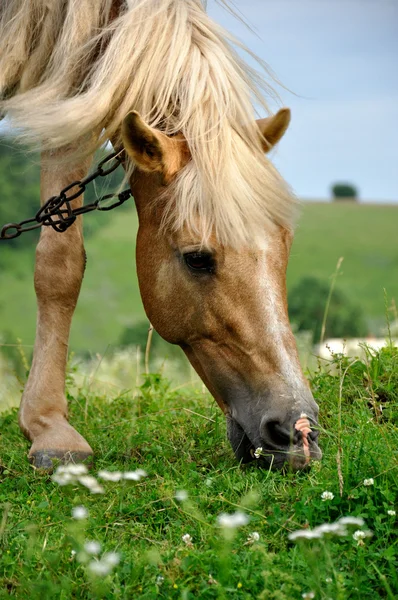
pixel 60 262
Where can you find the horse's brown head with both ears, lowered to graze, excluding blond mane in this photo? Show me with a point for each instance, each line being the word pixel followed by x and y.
pixel 225 306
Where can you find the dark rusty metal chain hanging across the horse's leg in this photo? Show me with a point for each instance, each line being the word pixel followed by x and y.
pixel 58 213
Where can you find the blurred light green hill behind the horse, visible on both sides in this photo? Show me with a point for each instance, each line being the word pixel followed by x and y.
pixel 365 235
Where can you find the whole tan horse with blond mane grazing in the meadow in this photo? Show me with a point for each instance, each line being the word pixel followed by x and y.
pixel 165 85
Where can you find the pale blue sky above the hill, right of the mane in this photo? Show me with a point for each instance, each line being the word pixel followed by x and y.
pixel 340 58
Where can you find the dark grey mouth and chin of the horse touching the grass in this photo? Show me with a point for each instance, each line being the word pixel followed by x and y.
pixel 297 457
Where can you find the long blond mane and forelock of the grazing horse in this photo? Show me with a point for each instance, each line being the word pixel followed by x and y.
pixel 71 69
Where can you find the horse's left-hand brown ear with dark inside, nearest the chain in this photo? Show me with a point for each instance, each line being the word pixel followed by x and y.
pixel 151 150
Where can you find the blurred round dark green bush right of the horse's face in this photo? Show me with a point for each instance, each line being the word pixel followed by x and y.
pixel 307 301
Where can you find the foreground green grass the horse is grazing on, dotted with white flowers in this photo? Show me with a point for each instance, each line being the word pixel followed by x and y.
pixel 180 441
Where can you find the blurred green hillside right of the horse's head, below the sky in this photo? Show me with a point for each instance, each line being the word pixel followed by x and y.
pixel 360 233
